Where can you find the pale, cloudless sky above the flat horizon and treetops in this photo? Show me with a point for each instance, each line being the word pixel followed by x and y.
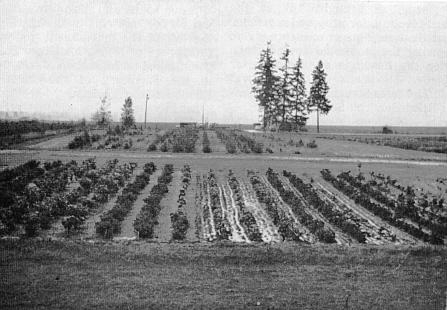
pixel 386 62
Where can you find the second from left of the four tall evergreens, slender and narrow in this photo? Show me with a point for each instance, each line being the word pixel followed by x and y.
pixel 286 87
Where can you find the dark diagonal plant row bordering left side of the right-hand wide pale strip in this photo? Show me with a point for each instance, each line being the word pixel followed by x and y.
pixel 332 214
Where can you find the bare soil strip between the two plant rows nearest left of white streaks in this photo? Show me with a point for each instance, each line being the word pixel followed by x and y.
pixel 163 231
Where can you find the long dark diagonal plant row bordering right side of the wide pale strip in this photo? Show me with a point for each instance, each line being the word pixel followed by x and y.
pixel 393 218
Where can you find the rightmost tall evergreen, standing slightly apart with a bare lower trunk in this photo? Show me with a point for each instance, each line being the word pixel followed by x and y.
pixel 318 91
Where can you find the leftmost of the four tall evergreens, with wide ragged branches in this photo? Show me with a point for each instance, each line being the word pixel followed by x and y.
pixel 266 87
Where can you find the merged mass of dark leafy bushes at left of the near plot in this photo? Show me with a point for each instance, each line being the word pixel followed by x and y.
pixel 46 199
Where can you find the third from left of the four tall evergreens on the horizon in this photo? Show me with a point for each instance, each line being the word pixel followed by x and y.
pixel 299 102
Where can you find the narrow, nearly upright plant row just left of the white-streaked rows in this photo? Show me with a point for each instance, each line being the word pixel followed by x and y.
pixel 179 219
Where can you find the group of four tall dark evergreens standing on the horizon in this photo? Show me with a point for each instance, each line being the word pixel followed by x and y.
pixel 281 96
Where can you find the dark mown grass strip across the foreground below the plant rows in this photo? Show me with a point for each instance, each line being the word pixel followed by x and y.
pixel 67 275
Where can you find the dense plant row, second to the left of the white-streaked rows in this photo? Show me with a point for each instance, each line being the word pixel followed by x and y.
pixel 147 219
